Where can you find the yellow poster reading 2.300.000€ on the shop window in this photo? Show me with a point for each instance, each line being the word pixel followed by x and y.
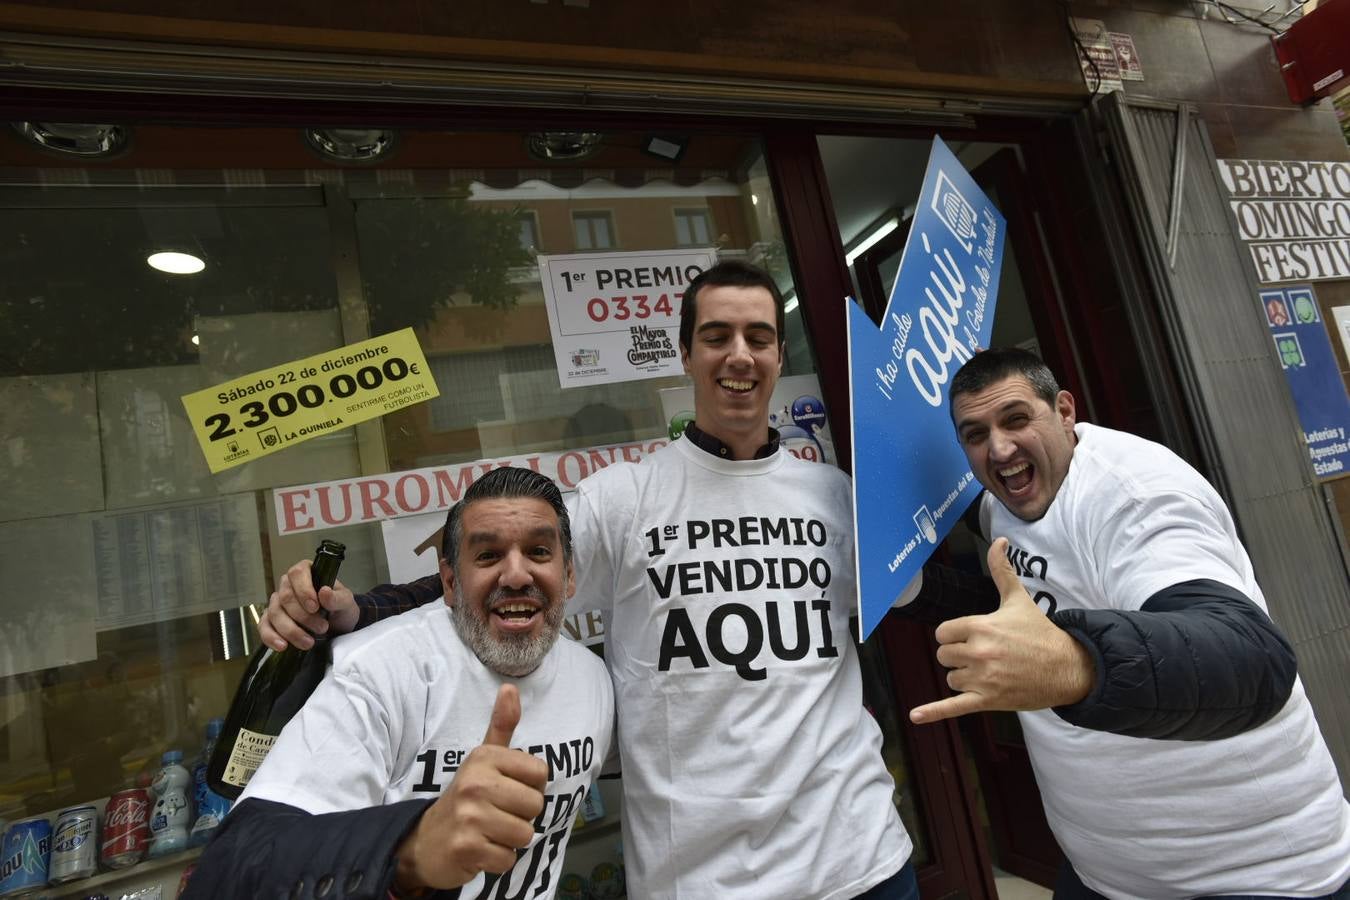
pixel 264 412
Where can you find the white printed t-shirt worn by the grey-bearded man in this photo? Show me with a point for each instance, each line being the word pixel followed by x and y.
pixel 404 705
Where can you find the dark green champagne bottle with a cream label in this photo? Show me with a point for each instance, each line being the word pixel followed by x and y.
pixel 273 690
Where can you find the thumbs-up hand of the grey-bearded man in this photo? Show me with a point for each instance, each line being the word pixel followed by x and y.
pixel 487 813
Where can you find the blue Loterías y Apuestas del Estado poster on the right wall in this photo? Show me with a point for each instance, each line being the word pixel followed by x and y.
pixel 1314 376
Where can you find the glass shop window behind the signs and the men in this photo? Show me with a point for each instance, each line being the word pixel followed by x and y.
pixel 133 574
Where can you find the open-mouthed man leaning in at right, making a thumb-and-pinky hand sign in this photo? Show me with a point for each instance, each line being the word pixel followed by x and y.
pixel 1175 748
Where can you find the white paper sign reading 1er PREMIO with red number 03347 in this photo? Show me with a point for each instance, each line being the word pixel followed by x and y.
pixel 615 318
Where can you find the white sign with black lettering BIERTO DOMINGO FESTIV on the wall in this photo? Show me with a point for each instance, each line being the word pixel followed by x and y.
pixel 1294 217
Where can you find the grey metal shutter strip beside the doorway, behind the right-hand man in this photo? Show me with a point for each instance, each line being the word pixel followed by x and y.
pixel 1247 428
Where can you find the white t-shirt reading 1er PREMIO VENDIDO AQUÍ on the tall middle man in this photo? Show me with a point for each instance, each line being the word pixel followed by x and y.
pixel 751 768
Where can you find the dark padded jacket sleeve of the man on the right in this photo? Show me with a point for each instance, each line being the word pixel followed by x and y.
pixel 1198 662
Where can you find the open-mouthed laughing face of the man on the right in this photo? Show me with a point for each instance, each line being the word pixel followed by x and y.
pixel 1019 446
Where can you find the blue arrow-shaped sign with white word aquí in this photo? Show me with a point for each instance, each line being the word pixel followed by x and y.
pixel 911 477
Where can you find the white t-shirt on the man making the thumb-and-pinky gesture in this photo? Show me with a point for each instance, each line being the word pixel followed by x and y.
pixel 1260 813
